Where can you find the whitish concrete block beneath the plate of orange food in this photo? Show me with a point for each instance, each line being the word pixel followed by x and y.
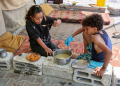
pixel 21 63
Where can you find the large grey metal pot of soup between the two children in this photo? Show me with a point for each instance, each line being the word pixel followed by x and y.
pixel 62 61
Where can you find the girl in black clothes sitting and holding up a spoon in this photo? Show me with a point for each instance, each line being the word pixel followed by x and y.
pixel 40 39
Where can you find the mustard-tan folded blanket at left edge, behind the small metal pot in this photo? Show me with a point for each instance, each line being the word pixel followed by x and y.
pixel 11 42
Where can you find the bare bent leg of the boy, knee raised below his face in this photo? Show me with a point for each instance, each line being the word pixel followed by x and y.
pixel 87 41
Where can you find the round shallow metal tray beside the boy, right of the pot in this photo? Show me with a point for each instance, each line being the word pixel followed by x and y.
pixel 81 63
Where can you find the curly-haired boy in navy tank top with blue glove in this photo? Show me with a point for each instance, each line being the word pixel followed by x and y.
pixel 96 41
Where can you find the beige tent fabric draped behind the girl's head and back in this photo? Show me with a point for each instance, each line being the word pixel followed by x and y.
pixel 15 19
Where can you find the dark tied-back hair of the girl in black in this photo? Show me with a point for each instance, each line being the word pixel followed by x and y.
pixel 33 10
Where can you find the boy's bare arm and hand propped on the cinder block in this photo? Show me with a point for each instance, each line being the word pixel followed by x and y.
pixel 96 39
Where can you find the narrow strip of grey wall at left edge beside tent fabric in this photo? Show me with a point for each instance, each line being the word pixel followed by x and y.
pixel 2 25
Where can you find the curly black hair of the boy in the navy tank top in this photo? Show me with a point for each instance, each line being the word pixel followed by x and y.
pixel 94 20
